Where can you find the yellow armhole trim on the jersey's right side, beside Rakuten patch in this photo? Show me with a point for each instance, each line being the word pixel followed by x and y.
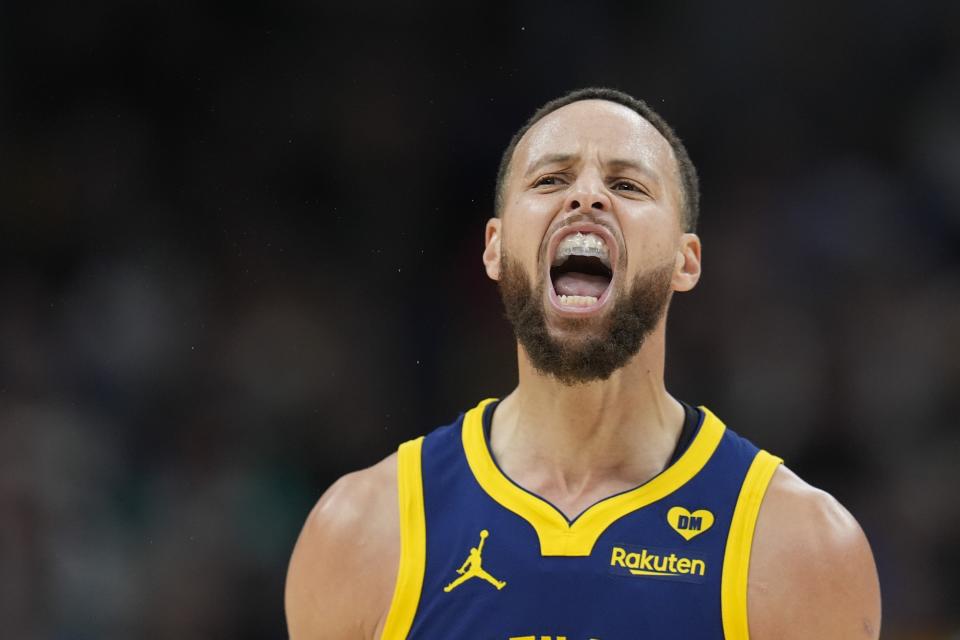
pixel 736 557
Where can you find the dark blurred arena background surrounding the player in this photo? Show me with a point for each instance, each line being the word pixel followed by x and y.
pixel 240 256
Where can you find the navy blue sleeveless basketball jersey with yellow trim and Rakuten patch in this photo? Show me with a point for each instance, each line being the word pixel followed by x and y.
pixel 483 559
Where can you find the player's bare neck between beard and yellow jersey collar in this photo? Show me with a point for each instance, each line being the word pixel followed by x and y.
pixel 575 445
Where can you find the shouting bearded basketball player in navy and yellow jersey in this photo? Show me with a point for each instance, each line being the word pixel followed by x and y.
pixel 588 503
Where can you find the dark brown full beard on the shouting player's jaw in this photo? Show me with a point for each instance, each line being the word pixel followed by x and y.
pixel 606 343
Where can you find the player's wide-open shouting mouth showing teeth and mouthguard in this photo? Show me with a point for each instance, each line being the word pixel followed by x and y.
pixel 581 270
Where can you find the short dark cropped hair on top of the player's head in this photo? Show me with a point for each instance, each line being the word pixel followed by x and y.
pixel 689 183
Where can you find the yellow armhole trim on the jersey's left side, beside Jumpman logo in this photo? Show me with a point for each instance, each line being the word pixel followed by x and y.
pixel 413 542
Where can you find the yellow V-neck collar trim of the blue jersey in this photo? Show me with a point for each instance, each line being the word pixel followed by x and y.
pixel 557 536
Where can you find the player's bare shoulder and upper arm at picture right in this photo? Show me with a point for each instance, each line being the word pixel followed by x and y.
pixel 812 575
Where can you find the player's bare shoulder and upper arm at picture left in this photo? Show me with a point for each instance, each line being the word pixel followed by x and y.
pixel 342 572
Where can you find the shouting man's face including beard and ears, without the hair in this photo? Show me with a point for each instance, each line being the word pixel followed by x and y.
pixel 590 243
